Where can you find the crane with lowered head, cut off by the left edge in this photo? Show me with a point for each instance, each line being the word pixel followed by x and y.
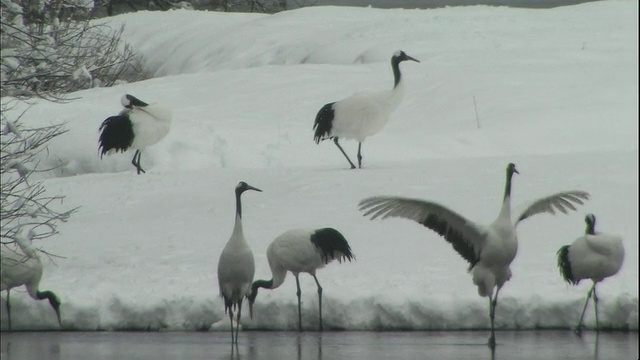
pixel 22 266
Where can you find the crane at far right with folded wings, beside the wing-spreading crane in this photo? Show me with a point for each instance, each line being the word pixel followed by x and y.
pixel 594 256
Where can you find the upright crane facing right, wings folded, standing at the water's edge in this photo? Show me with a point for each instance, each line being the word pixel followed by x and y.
pixel 236 266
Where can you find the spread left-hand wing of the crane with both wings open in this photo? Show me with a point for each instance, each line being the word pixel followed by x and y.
pixel 466 237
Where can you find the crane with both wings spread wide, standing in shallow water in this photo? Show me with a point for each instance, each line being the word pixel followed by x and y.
pixel 489 250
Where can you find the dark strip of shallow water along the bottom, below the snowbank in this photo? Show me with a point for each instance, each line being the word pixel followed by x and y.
pixel 252 345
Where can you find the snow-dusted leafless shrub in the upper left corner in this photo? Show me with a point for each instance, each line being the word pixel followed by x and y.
pixel 46 57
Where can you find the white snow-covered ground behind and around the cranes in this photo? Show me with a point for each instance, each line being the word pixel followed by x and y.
pixel 555 91
